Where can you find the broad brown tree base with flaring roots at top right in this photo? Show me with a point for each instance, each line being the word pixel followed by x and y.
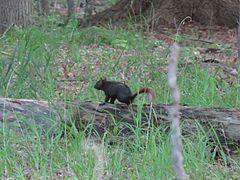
pixel 165 12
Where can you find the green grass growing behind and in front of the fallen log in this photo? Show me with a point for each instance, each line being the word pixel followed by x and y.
pixel 32 69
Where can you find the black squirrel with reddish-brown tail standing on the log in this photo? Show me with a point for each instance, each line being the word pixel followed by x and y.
pixel 120 91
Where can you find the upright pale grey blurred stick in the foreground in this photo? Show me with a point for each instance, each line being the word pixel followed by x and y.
pixel 177 156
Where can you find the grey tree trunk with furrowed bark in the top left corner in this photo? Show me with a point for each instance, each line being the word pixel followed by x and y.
pixel 17 12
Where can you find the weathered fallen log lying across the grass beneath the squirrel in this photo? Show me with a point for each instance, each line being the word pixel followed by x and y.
pixel 118 118
